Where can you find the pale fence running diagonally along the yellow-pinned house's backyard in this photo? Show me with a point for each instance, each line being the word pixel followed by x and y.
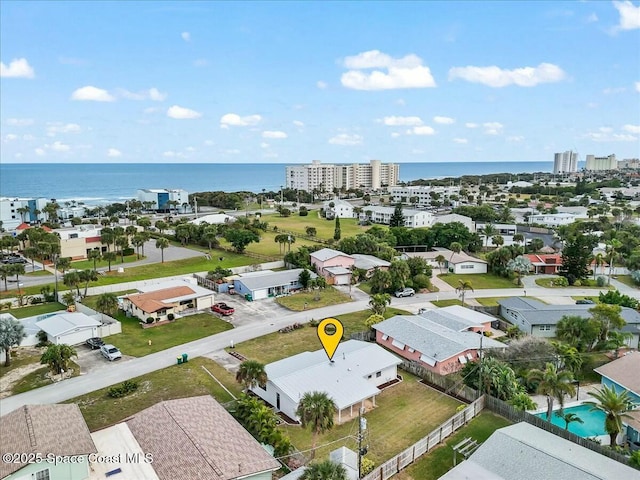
pixel 426 444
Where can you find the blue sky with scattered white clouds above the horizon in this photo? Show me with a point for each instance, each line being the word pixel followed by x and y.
pixel 287 82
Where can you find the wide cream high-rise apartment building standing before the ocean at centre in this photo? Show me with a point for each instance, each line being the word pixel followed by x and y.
pixel 326 177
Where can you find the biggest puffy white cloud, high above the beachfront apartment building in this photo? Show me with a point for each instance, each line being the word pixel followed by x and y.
pixel 405 72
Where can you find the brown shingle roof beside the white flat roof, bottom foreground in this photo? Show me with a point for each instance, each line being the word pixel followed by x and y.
pixel 196 438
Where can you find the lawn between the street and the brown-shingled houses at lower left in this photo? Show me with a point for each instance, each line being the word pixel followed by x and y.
pixel 178 381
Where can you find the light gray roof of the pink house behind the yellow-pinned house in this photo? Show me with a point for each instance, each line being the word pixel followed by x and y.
pixel 430 338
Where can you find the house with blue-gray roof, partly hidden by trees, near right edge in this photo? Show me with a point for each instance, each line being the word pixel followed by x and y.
pixel 540 320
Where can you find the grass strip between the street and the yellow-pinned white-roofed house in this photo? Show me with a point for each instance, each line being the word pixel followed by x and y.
pixel 277 346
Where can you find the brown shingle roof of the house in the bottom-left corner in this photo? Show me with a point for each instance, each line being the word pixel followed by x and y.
pixel 44 429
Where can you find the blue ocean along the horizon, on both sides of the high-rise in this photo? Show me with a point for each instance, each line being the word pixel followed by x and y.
pixel 112 182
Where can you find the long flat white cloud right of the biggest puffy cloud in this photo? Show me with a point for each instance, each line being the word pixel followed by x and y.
pixel 497 77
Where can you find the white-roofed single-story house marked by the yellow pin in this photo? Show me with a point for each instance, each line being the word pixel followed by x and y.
pixel 351 379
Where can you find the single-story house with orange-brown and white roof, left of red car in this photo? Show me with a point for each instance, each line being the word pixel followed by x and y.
pixel 172 297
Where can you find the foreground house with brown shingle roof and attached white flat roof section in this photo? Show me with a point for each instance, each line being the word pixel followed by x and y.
pixel 187 438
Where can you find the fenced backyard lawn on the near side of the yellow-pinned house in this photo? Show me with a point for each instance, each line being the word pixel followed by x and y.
pixel 404 414
